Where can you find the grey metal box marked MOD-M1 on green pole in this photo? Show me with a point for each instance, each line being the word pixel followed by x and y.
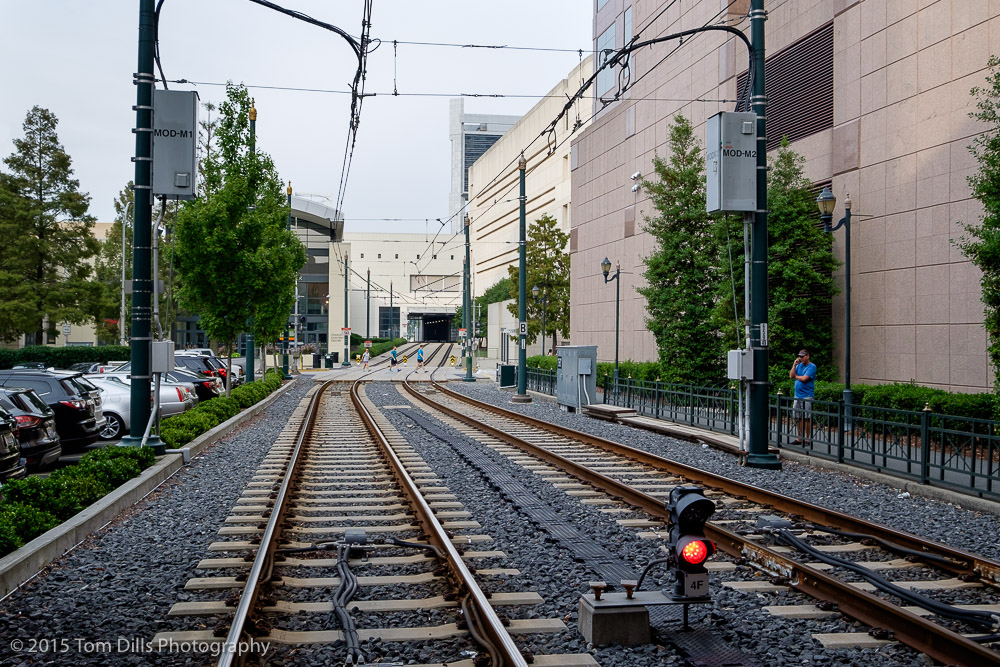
pixel 175 140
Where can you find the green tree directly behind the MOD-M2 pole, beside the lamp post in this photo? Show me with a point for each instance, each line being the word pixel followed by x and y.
pixel 799 271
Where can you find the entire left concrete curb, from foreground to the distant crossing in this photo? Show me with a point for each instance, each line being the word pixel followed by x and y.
pixel 18 567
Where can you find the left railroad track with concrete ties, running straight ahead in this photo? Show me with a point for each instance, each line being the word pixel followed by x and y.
pixel 343 507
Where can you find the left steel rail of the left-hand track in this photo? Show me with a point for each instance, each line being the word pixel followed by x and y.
pixel 264 560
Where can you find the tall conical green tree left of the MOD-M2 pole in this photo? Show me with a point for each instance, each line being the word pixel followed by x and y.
pixel 683 272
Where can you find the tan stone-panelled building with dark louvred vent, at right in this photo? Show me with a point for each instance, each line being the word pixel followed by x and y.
pixel 875 95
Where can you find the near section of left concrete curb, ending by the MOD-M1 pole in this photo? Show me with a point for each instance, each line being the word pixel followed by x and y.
pixel 19 566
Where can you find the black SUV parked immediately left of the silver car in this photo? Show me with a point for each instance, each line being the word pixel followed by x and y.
pixel 79 418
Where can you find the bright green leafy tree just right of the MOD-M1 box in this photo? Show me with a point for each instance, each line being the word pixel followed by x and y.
pixel 233 255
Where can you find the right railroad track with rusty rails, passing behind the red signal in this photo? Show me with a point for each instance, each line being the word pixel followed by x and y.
pixel 767 531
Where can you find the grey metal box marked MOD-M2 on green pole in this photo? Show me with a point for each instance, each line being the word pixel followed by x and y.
pixel 731 162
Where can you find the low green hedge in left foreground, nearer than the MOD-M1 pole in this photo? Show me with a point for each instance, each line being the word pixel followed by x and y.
pixel 31 506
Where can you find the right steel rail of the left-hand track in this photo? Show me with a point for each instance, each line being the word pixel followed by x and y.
pixel 436 535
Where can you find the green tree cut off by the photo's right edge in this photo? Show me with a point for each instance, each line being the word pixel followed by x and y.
pixel 981 244
